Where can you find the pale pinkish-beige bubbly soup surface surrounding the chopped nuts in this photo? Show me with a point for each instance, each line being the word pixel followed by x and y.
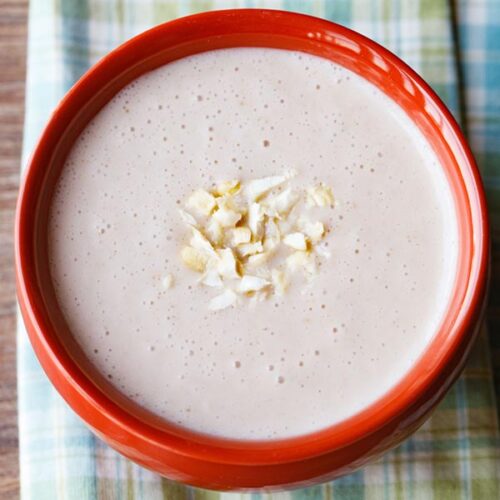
pixel 290 365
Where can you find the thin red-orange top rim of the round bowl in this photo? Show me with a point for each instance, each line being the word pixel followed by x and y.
pixel 214 448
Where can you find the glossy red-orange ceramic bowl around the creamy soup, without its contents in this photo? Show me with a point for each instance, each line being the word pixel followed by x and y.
pixel 229 464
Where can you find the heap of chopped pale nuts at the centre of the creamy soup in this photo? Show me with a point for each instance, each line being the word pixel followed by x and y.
pixel 243 236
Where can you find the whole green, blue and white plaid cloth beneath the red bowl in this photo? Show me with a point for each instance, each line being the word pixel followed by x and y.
pixel 456 48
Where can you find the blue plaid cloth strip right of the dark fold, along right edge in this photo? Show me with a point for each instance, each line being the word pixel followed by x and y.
pixel 479 42
